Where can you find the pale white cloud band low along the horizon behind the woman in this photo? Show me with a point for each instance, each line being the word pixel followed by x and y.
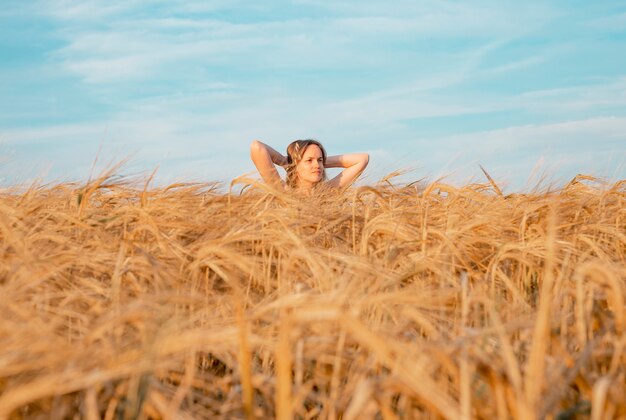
pixel 215 147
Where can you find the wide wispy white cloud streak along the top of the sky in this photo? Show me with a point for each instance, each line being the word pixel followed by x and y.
pixel 125 44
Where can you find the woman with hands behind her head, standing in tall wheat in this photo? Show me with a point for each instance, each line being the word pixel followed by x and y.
pixel 305 164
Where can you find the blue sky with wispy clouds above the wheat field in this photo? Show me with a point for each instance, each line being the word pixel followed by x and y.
pixel 437 87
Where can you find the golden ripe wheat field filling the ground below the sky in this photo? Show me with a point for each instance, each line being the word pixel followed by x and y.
pixel 424 300
